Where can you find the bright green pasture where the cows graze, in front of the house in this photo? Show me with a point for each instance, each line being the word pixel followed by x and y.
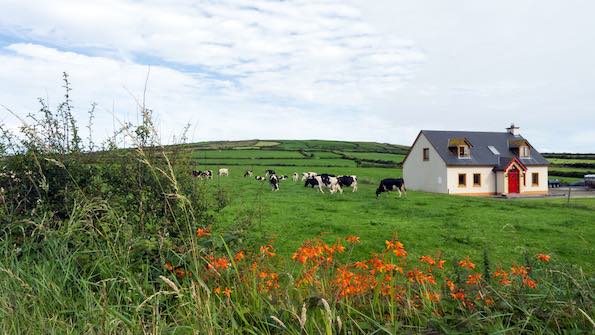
pixel 426 223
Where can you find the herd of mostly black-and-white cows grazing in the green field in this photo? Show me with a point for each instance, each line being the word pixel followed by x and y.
pixel 324 180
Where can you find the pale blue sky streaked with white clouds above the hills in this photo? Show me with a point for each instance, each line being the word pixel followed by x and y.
pixel 348 69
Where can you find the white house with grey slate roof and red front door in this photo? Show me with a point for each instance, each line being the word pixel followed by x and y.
pixel 475 163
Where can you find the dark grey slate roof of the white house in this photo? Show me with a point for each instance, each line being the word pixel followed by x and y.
pixel 480 154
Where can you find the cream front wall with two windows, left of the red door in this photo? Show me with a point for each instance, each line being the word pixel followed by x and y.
pixel 488 180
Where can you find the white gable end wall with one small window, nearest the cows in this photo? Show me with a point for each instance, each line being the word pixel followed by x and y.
pixel 420 175
